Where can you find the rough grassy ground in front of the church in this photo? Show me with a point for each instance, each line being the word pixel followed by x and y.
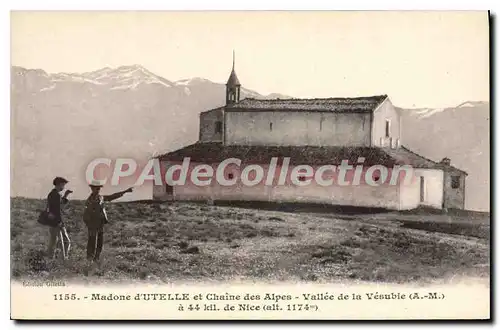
pixel 183 241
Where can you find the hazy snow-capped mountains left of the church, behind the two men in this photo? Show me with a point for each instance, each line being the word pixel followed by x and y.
pixel 60 121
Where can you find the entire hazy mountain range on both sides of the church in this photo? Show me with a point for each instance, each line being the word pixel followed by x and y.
pixel 61 121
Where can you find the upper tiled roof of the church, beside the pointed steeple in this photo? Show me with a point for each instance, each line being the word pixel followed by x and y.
pixel 354 104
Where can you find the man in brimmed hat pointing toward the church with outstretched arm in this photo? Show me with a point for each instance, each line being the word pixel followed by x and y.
pixel 95 218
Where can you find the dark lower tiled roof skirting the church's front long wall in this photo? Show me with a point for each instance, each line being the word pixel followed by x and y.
pixel 308 155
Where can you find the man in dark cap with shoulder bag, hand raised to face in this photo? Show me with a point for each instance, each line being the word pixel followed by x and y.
pixel 56 226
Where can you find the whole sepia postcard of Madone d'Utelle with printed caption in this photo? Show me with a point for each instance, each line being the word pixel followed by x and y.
pixel 321 165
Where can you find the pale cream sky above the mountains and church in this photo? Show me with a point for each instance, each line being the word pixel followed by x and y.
pixel 420 59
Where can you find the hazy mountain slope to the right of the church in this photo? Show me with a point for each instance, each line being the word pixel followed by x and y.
pixel 461 133
